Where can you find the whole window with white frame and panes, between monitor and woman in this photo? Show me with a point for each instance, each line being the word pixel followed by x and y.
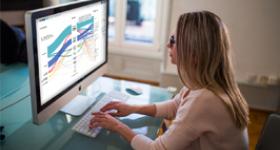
pixel 136 26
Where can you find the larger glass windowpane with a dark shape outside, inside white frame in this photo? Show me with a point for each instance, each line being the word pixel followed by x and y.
pixel 140 21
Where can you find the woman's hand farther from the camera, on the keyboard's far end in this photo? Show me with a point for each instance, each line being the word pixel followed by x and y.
pixel 122 109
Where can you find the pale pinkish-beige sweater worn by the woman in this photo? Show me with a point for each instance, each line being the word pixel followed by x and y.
pixel 201 122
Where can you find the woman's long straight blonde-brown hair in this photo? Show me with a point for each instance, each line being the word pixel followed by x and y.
pixel 203 57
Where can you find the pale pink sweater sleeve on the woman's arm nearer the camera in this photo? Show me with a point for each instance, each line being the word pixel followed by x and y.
pixel 190 123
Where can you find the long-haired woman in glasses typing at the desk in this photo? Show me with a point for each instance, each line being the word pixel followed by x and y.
pixel 209 112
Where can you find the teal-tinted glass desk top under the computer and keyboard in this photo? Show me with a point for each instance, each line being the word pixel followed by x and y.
pixel 57 132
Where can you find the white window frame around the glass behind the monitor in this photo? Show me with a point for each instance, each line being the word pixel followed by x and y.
pixel 118 44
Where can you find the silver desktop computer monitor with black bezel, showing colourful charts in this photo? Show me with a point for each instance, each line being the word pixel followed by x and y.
pixel 67 51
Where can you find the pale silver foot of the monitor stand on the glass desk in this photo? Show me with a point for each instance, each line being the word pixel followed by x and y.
pixel 78 105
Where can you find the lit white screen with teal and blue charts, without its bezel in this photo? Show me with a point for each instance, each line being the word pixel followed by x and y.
pixel 70 45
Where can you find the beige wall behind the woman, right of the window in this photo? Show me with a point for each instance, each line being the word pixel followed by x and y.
pixel 254 31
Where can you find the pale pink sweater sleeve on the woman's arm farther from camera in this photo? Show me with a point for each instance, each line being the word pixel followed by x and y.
pixel 169 108
